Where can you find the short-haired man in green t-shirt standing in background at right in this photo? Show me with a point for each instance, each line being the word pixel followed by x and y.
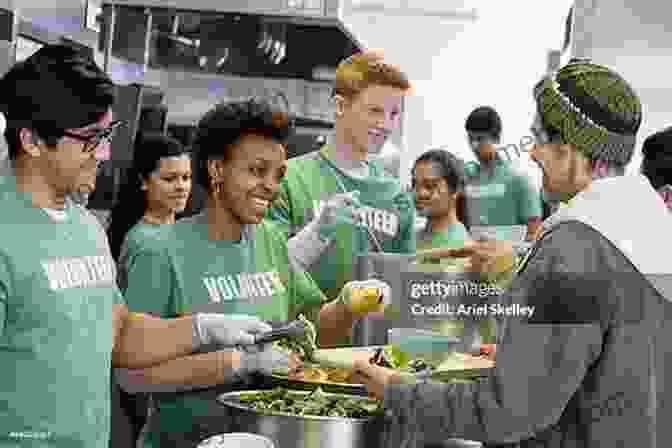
pixel 497 197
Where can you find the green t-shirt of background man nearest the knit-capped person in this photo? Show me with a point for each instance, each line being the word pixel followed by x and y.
pixel 505 198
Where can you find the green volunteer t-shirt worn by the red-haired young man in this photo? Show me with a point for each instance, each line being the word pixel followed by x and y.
pixel 388 212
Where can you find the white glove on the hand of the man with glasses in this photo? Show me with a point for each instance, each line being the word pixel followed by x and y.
pixel 222 330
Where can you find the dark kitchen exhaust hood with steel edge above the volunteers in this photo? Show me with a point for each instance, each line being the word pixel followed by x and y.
pixel 297 39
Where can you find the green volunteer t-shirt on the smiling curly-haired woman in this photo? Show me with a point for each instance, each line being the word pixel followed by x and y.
pixel 182 271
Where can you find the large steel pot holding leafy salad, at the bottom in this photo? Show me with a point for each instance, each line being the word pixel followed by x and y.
pixel 292 431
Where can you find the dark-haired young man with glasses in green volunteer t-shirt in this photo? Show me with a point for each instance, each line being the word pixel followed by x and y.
pixel 63 321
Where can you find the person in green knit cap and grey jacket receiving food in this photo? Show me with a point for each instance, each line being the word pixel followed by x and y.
pixel 586 367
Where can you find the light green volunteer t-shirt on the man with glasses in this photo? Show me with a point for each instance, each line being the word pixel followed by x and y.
pixel 57 291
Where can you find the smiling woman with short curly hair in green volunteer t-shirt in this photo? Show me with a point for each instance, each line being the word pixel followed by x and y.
pixel 228 260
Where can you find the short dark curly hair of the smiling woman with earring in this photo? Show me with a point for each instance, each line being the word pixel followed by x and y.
pixel 225 124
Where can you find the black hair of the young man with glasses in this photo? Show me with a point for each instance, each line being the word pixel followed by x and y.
pixel 34 92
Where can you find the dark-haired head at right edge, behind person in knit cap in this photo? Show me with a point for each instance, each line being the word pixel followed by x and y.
pixel 657 163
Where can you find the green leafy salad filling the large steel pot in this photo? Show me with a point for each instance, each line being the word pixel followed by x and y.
pixel 316 403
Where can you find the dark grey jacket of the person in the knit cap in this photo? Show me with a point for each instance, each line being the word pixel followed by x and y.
pixel 590 375
